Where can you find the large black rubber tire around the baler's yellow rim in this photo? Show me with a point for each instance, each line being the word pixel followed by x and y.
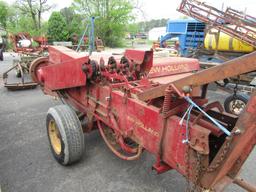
pixel 71 134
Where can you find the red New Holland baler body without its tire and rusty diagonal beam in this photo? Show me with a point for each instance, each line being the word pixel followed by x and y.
pixel 106 92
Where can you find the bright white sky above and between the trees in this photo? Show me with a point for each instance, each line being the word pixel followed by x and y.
pixel 158 9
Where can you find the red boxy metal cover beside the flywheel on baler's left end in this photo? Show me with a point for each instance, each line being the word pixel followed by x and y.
pixel 56 76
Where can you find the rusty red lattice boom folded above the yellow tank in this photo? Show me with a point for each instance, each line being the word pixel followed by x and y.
pixel 234 23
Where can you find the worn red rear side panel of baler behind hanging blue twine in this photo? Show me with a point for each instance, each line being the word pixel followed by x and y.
pixel 175 150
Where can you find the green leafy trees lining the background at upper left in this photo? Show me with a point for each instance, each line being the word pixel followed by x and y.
pixel 114 18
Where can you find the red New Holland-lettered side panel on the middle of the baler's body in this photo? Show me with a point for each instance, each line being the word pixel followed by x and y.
pixel 138 120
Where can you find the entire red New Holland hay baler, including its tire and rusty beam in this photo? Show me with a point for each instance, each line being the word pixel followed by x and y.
pixel 143 104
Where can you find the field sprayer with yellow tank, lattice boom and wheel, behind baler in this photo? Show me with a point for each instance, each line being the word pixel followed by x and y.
pixel 229 34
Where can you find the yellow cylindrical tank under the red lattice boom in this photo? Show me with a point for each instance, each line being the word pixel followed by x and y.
pixel 226 43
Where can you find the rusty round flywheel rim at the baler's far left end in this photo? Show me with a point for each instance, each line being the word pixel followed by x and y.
pixel 35 64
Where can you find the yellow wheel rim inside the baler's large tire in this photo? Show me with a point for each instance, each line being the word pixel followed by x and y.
pixel 54 135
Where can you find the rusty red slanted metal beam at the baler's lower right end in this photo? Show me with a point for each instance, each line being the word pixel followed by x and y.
pixel 240 146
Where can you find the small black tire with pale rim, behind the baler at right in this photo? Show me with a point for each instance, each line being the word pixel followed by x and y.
pixel 240 96
